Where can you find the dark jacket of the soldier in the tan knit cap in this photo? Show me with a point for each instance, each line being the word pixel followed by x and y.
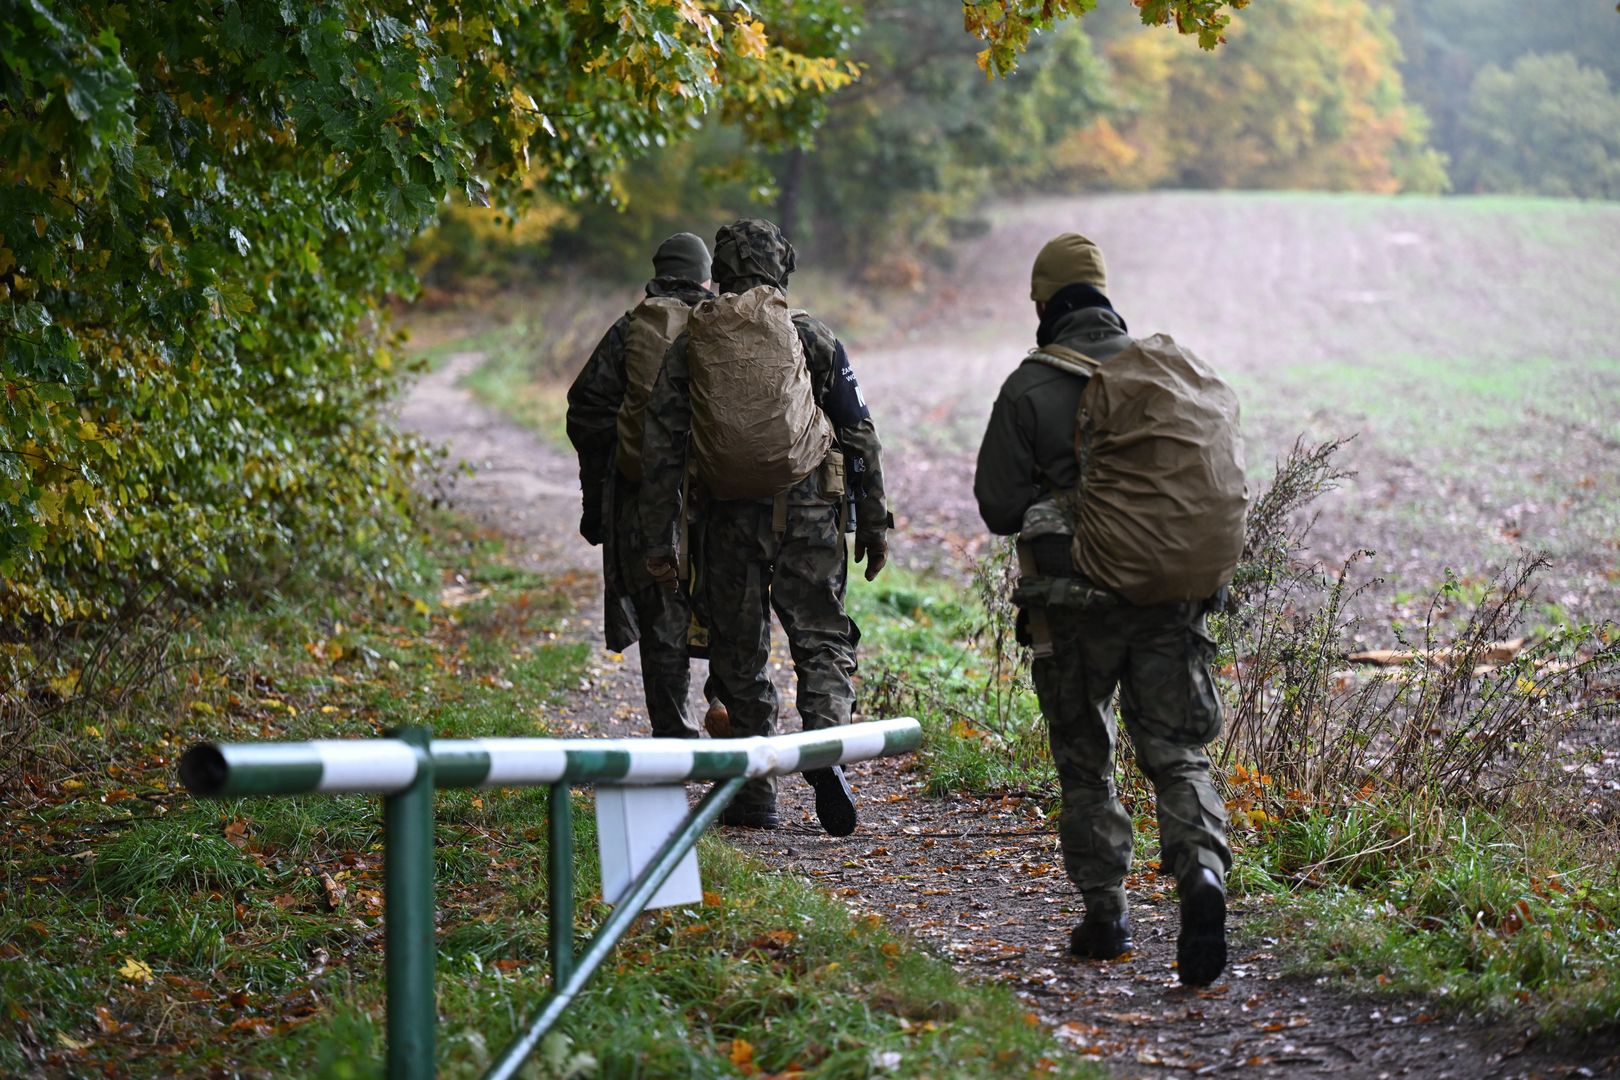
pixel 1030 444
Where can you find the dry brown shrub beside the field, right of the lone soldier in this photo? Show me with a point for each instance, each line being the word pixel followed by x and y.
pixel 1467 721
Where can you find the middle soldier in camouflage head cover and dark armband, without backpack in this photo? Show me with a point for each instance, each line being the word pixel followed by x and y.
pixel 751 564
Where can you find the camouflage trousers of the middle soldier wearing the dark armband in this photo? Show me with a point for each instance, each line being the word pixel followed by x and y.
pixel 748 571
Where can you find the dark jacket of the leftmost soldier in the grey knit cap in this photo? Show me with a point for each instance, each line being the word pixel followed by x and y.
pixel 594 407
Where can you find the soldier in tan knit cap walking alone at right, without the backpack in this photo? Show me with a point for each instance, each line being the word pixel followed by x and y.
pixel 1159 657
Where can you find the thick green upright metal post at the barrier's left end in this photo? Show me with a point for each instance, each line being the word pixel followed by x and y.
pixel 409 946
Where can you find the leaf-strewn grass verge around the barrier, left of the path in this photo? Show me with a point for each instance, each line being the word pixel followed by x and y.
pixel 148 933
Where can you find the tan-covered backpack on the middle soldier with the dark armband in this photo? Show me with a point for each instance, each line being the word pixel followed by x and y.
pixel 756 425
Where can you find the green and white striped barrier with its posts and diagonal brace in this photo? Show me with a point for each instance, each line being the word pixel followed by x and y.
pixel 406 772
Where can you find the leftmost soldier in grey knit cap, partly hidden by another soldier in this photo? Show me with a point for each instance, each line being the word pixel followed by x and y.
pixel 637 608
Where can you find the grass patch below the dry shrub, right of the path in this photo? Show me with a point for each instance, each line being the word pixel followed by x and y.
pixel 1485 916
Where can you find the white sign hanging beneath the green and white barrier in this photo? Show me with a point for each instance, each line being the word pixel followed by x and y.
pixel 633 825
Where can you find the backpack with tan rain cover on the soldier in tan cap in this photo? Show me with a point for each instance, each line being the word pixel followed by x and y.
pixel 1162 496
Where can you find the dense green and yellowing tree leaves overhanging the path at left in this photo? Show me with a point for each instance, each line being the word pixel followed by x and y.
pixel 203 206
